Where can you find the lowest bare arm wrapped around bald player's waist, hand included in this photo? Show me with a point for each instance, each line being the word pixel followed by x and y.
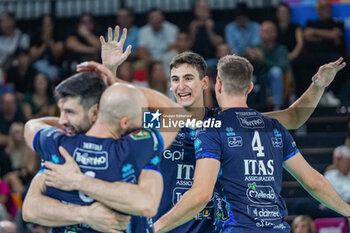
pixel 54 213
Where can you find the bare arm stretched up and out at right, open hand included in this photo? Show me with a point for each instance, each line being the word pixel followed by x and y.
pixel 298 113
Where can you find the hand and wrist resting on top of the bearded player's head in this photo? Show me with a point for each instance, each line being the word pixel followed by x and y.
pixel 106 75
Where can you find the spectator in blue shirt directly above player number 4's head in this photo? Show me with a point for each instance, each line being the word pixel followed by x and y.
pixel 242 33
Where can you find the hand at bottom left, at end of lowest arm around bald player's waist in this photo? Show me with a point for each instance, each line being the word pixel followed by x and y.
pixel 103 219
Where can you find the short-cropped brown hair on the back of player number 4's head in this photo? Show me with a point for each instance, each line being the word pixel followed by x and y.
pixel 236 73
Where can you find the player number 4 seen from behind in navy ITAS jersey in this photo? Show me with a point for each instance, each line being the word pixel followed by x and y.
pixel 249 151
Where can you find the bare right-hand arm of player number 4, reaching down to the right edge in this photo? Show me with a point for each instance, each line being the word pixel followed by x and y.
pixel 316 184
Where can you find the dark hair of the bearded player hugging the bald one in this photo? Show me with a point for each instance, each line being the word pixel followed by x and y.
pixel 86 85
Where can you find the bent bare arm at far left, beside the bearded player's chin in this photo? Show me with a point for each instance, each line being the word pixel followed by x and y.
pixel 35 125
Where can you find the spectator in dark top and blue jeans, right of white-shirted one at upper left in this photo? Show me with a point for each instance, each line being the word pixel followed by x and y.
pixel 47 48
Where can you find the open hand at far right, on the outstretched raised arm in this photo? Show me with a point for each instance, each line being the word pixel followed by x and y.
pixel 326 73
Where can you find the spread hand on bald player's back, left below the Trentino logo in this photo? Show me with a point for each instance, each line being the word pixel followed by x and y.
pixel 64 176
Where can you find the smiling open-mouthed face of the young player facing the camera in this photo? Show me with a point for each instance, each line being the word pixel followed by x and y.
pixel 187 86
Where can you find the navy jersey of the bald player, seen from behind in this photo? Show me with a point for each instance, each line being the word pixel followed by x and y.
pixel 105 159
